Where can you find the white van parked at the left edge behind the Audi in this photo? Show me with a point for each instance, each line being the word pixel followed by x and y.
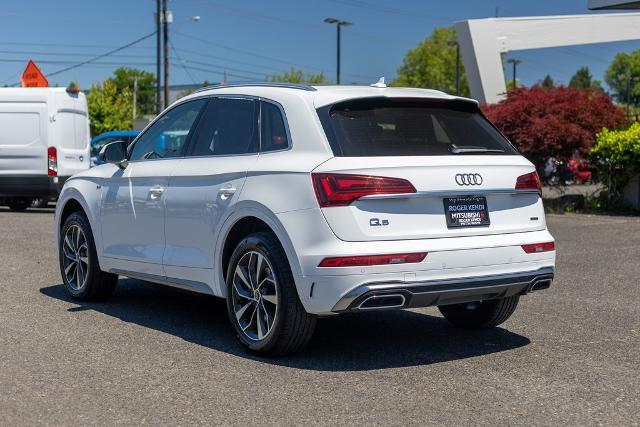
pixel 44 139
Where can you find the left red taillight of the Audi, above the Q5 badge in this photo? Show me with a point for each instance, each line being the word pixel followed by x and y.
pixel 334 189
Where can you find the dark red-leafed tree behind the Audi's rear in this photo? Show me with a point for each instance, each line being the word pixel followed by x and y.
pixel 543 122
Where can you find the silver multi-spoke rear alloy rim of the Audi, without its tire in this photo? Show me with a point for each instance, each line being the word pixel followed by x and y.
pixel 255 295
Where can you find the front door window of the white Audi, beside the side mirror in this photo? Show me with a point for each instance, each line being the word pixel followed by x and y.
pixel 167 135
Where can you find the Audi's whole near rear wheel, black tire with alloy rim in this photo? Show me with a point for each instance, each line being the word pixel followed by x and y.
pixel 276 298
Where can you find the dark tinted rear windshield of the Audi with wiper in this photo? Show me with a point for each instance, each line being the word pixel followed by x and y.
pixel 410 127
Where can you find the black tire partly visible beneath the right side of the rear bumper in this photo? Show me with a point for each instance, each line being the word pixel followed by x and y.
pixel 481 314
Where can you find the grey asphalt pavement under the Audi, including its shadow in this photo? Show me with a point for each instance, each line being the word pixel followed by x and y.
pixel 154 355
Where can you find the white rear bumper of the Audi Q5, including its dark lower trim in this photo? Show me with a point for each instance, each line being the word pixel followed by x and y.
pixel 451 264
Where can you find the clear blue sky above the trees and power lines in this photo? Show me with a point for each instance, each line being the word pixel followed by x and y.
pixel 252 38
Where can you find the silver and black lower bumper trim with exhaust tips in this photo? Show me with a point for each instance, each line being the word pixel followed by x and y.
pixel 399 294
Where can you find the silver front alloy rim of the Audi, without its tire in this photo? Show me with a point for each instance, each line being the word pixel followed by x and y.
pixel 76 257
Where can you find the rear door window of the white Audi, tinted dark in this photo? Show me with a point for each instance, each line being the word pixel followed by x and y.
pixel 228 126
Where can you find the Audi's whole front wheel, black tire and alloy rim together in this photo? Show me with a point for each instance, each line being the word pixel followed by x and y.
pixel 87 283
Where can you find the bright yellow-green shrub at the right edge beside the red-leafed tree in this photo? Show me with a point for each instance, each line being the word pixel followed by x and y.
pixel 618 156
